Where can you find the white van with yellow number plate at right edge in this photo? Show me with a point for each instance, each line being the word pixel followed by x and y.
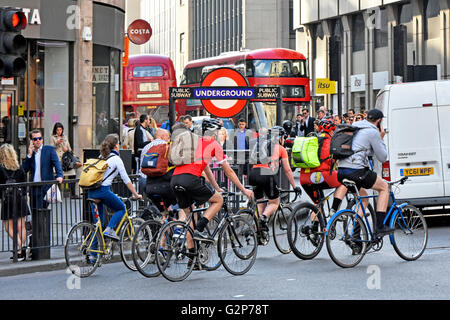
pixel 417 123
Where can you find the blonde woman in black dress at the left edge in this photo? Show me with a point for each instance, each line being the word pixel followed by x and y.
pixel 14 203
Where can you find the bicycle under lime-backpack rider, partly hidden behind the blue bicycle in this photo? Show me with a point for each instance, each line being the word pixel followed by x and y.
pixel 305 227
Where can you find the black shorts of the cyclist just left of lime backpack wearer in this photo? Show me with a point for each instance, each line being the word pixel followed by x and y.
pixel 264 182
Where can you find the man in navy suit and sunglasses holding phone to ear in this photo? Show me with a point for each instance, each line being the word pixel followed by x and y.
pixel 41 162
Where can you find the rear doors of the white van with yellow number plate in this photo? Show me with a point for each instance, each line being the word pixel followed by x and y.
pixel 415 146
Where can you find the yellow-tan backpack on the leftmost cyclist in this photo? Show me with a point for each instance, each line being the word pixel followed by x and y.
pixel 92 174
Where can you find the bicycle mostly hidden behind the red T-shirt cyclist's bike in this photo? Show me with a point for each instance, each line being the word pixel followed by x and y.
pixel 145 251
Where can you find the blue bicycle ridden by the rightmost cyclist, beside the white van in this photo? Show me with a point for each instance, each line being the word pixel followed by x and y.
pixel 349 236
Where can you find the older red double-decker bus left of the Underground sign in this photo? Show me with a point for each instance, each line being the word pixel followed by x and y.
pixel 146 83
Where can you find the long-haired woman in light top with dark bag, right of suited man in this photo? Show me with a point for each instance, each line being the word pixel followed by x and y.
pixel 61 143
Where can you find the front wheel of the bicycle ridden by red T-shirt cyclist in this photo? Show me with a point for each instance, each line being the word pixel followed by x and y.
pixel 237 245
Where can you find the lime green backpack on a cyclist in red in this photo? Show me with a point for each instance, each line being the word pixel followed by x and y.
pixel 306 152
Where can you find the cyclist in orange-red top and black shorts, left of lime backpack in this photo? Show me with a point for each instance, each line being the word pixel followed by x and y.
pixel 263 177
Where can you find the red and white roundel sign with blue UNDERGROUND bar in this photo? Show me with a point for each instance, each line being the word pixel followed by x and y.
pixel 228 90
